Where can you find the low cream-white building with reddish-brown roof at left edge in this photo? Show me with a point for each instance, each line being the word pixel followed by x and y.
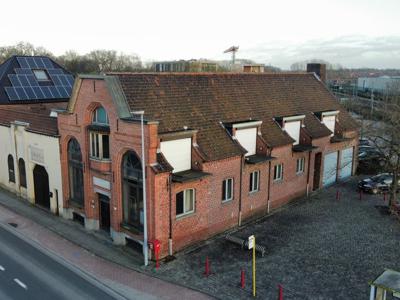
pixel 30 156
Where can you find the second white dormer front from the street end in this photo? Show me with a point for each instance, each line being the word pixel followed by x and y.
pixel 246 134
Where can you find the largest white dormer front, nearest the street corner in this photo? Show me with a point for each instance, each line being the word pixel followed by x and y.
pixel 177 149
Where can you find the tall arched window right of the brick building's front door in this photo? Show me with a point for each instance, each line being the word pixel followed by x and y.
pixel 132 191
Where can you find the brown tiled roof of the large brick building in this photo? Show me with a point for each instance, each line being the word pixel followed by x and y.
pixel 206 101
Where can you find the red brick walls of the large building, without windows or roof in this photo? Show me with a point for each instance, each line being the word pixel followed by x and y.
pixel 211 215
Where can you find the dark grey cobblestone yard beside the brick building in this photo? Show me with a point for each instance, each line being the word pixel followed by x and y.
pixel 318 248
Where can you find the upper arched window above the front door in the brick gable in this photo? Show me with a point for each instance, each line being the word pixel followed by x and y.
pixel 99 135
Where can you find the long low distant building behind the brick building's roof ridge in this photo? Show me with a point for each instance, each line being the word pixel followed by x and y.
pixel 186 66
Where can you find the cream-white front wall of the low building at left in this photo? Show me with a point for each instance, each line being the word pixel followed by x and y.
pixel 34 149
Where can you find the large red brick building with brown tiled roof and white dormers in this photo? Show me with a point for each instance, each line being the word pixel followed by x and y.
pixel 219 149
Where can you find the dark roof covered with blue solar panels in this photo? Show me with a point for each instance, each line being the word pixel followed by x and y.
pixel 19 84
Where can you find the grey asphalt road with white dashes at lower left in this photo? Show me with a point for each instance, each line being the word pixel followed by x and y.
pixel 29 273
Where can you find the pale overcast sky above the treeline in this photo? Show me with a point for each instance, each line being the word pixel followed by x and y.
pixel 353 33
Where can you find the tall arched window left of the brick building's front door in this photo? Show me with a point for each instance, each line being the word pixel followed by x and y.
pixel 75 169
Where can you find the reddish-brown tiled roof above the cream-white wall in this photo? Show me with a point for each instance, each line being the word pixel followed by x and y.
pixel 38 123
